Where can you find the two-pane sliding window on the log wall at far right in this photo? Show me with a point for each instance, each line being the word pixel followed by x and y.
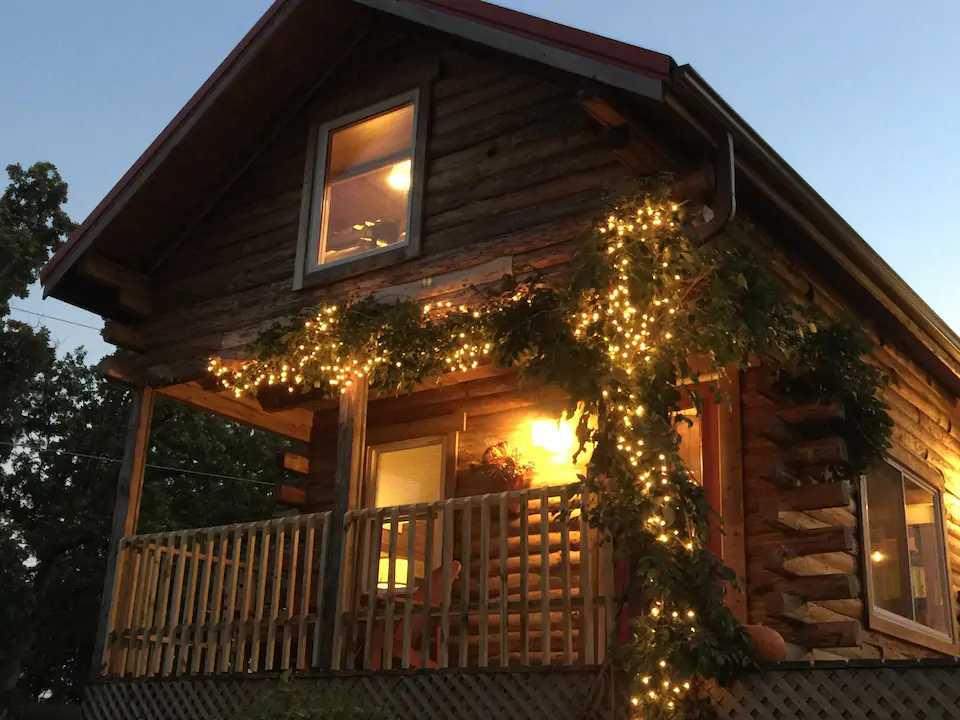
pixel 907 568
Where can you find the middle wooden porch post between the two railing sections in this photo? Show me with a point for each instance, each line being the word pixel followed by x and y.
pixel 348 481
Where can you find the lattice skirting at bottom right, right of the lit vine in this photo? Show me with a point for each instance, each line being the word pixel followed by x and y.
pixel 848 693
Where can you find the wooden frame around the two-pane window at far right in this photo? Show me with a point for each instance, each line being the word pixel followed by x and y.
pixel 890 623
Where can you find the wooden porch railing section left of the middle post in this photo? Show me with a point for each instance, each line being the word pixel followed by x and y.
pixel 236 598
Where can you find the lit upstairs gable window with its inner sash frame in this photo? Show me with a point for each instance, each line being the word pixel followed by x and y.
pixel 364 181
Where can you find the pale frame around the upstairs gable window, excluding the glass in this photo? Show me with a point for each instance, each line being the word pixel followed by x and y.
pixel 308 271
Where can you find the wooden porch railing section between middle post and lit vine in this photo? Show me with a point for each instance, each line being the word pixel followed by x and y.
pixel 517 578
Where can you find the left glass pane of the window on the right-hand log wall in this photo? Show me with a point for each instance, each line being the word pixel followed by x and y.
pixel 890 565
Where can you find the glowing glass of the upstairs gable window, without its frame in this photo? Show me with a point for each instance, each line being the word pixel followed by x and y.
pixel 367 191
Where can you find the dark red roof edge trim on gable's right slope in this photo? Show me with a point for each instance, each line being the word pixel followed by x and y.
pixel 579 42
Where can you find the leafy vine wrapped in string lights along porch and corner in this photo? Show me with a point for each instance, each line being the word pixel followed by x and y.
pixel 648 297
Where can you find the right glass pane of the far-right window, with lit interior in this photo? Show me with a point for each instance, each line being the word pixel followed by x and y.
pixel 926 557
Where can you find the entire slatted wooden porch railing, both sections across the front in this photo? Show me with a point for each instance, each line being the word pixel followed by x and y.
pixel 501 580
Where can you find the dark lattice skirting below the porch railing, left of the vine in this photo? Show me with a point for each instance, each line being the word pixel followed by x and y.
pixel 559 694
